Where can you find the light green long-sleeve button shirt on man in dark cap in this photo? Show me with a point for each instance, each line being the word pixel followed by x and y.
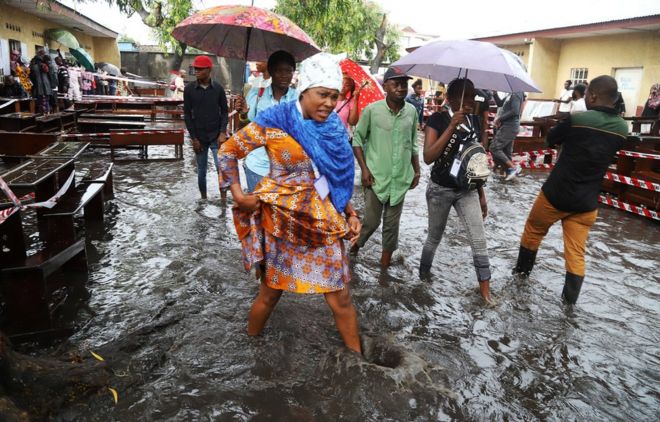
pixel 389 140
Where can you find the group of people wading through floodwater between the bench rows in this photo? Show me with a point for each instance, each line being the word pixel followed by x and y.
pixel 299 146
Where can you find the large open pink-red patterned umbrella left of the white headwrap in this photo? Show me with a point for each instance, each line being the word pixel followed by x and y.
pixel 245 33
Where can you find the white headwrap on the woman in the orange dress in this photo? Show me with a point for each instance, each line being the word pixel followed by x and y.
pixel 321 69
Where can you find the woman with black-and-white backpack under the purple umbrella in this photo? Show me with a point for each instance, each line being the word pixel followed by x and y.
pixel 460 169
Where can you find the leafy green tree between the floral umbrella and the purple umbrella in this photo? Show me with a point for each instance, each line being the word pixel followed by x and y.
pixel 356 27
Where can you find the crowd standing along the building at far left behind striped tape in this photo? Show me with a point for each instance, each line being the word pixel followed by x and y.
pixel 47 79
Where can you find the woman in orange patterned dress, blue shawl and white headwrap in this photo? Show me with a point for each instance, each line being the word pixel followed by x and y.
pixel 291 227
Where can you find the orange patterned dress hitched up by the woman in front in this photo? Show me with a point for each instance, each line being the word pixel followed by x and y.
pixel 295 233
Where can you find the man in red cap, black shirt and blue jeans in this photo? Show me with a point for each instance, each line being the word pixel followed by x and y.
pixel 206 114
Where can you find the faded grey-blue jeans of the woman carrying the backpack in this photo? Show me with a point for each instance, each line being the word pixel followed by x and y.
pixel 440 199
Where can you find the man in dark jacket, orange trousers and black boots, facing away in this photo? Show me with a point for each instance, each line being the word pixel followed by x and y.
pixel 589 142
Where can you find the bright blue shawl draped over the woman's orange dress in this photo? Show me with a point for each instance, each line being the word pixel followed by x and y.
pixel 325 143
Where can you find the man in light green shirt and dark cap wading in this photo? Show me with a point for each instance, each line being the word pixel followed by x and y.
pixel 385 146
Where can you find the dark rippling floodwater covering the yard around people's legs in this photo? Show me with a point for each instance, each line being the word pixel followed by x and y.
pixel 434 351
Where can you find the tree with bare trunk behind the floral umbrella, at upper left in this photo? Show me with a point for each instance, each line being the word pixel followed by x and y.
pixel 162 16
